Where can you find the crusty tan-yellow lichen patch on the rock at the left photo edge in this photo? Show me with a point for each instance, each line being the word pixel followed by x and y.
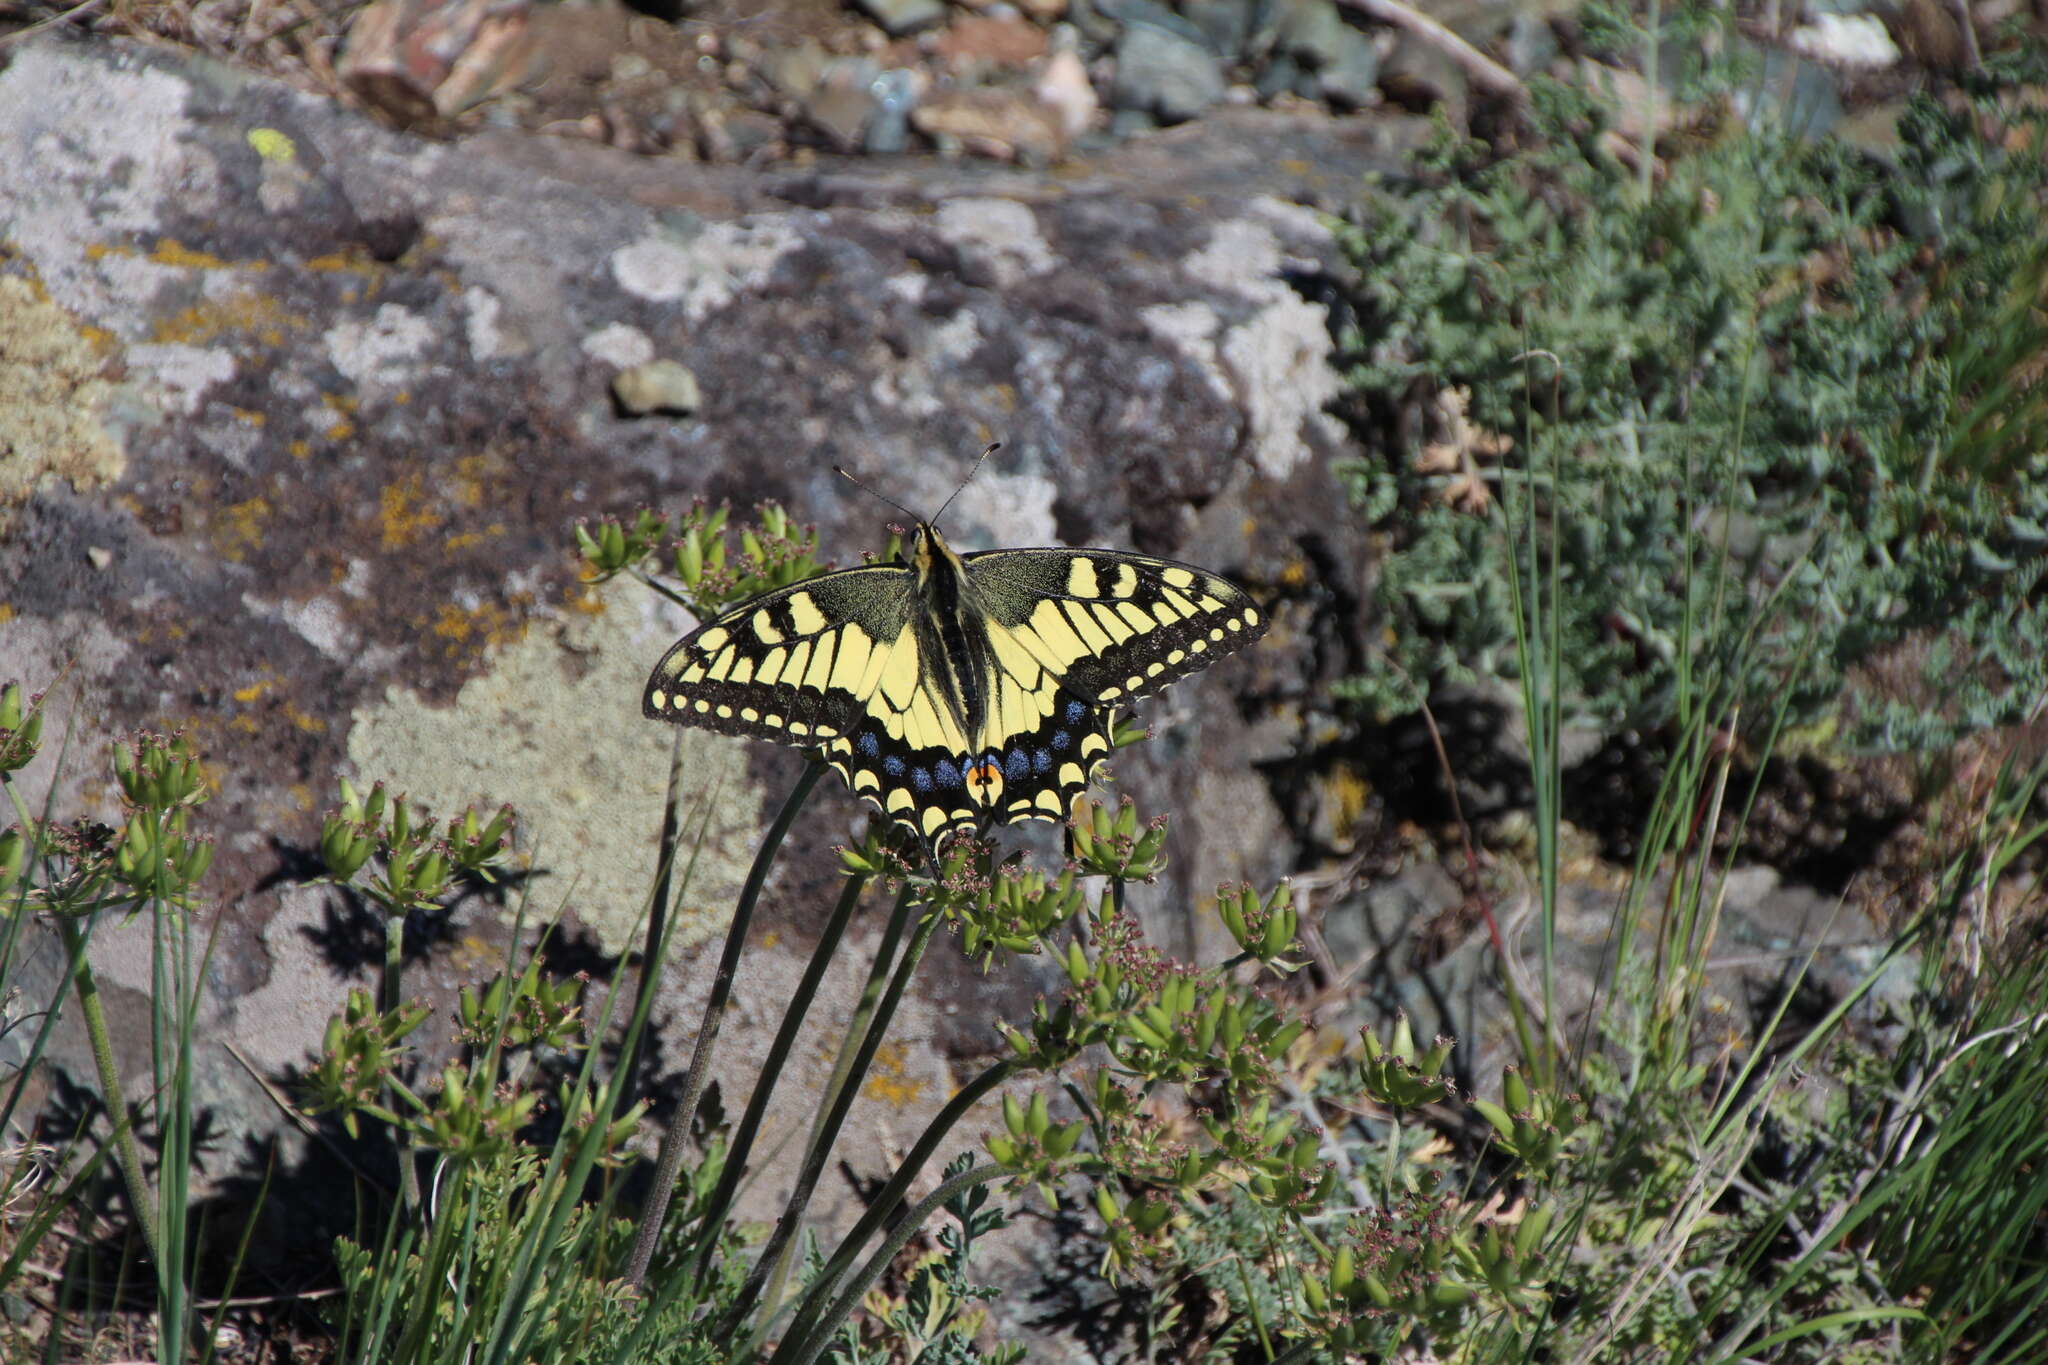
pixel 52 396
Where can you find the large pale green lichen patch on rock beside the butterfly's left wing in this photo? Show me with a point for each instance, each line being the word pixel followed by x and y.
pixel 556 730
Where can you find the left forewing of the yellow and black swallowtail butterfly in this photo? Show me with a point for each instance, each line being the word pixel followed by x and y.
pixel 796 664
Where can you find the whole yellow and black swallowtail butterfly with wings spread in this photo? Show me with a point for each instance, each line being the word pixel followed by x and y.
pixel 955 693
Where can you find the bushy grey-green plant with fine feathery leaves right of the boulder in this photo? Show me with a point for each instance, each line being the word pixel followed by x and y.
pixel 1777 347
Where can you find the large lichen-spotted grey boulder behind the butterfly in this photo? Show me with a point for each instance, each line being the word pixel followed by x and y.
pixel 323 404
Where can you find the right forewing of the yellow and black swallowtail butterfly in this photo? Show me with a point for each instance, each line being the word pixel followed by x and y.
pixel 1109 625
